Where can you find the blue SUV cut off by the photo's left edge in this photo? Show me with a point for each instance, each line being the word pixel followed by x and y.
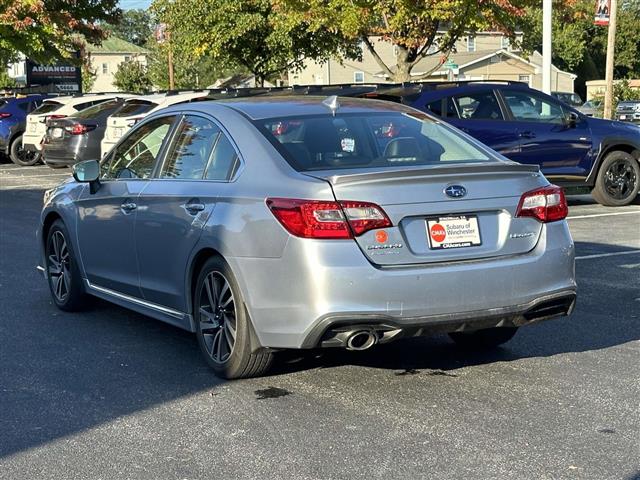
pixel 13 114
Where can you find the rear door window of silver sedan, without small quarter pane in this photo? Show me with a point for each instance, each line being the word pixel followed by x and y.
pixel 190 151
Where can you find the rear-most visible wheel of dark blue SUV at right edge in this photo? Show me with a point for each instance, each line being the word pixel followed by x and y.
pixel 618 180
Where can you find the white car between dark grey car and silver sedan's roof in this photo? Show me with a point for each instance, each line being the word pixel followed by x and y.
pixel 136 108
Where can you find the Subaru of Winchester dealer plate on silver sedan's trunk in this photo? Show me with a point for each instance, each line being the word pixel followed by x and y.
pixel 453 232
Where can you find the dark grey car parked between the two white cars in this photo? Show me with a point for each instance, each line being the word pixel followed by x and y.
pixel 75 138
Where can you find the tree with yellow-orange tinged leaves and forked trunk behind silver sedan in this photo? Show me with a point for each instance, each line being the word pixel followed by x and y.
pixel 412 26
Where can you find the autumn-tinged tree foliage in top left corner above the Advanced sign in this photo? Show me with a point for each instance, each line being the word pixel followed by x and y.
pixel 49 30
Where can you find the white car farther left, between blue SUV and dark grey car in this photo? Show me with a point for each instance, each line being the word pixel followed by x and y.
pixel 58 107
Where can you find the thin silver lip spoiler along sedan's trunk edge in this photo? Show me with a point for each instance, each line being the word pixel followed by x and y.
pixel 359 175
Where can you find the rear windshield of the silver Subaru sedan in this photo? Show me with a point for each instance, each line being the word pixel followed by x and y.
pixel 367 141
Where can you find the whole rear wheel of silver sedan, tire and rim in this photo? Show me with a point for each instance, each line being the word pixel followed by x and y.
pixel 219 311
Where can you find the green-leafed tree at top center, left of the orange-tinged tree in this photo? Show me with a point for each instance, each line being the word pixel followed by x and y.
pixel 256 35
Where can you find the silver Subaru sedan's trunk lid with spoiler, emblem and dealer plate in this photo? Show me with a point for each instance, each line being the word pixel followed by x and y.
pixel 431 226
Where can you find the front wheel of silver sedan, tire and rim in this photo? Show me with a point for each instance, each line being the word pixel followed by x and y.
pixel 61 267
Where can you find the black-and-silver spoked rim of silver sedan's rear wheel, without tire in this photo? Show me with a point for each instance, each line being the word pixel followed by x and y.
pixel 217 317
